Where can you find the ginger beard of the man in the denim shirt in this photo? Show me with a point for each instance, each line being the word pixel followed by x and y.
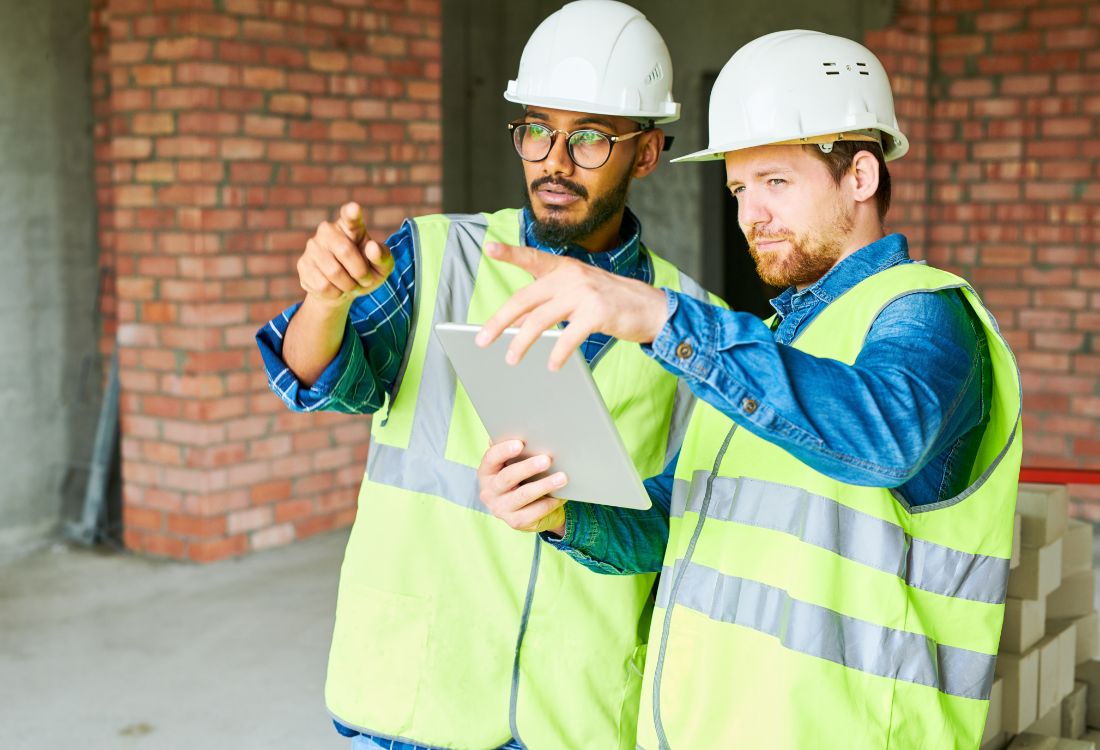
pixel 811 256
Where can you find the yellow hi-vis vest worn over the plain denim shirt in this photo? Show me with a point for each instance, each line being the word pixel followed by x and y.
pixel 796 612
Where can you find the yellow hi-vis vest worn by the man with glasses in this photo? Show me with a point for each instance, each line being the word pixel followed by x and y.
pixel 453 630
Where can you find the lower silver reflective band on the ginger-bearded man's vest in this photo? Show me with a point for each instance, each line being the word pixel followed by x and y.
pixel 818 632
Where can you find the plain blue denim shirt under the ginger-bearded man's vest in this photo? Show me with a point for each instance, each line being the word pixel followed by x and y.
pixel 908 414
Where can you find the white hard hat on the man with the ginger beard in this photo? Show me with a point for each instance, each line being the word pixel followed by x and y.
pixel 801 87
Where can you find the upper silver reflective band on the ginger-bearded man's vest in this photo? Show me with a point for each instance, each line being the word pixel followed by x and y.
pixel 853 535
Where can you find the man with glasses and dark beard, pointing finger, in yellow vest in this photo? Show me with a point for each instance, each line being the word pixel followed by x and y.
pixel 452 631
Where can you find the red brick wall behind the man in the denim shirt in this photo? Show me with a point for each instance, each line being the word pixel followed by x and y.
pixel 1014 194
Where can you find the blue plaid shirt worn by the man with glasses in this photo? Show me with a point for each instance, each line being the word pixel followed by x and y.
pixel 365 370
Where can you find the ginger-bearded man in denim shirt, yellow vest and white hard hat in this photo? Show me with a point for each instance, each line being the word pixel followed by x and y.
pixel 840 519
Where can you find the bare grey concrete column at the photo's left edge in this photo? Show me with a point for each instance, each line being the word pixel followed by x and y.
pixel 50 372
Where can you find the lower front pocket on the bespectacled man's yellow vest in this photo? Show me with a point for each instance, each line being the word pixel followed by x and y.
pixel 380 648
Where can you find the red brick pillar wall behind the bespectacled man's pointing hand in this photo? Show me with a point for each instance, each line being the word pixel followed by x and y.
pixel 226 131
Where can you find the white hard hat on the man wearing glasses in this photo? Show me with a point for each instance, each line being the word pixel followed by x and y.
pixel 598 57
